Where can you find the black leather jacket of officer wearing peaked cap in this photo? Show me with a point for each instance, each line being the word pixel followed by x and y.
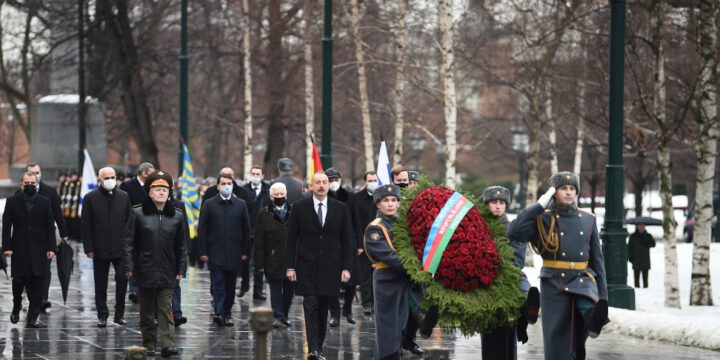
pixel 155 249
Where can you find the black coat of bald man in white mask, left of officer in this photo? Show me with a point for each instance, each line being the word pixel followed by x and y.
pixel 104 219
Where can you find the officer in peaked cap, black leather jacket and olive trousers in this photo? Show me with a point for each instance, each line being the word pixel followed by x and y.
pixel 155 255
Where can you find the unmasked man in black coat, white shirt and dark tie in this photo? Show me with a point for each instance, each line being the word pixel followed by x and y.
pixel 319 252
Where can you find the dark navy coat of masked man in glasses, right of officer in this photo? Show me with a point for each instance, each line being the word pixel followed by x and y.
pixel 224 232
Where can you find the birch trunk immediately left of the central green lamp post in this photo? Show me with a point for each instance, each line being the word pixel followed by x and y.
pixel 309 83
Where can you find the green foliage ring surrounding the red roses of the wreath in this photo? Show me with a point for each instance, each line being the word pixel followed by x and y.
pixel 475 311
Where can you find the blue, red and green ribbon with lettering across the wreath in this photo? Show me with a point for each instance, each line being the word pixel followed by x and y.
pixel 443 229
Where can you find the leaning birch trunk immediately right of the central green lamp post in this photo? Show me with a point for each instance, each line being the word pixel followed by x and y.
pixel 362 83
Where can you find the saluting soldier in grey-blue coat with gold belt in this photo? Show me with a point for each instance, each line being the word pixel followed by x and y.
pixel 573 287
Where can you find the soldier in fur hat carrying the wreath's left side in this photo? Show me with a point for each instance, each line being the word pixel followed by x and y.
pixel 391 284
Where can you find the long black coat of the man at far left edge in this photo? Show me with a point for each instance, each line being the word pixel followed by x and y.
pixel 30 235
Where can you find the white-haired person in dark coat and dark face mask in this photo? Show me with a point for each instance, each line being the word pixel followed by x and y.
pixel 270 252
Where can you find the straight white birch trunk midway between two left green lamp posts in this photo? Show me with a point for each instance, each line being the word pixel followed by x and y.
pixel 247 135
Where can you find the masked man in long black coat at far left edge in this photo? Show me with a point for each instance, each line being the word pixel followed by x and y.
pixel 28 237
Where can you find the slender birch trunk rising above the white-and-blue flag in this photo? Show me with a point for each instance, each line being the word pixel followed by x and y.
pixel 401 47
